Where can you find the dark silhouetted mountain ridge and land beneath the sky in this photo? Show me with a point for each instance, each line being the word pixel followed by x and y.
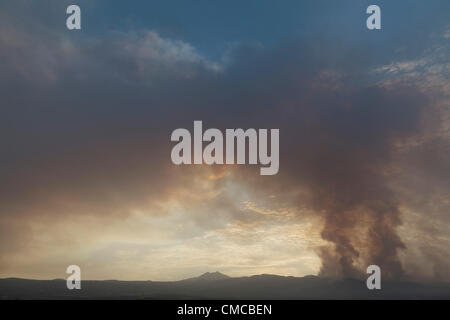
pixel 215 285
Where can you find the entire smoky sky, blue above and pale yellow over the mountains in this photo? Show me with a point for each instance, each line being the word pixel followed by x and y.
pixel 86 176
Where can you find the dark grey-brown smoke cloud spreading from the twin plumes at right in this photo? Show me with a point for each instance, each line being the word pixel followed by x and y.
pixel 86 122
